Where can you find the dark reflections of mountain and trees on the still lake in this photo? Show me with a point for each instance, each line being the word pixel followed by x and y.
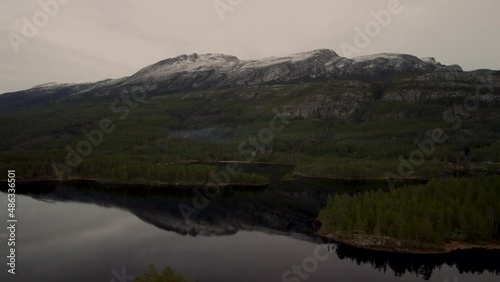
pixel 286 209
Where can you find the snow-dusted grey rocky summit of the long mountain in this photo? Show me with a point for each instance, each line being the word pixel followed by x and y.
pixel 217 70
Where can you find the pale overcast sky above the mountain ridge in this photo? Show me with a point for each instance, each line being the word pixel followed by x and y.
pixel 90 40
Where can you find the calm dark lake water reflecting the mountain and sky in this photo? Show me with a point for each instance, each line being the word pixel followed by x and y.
pixel 71 234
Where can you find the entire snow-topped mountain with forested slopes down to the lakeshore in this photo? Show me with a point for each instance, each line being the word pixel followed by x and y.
pixel 359 117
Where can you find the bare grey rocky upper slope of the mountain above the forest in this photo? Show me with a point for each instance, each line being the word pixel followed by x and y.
pixel 392 77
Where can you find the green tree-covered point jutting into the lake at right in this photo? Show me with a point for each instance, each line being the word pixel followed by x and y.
pixel 460 210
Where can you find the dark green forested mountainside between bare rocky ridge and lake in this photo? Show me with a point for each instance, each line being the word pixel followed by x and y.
pixel 210 125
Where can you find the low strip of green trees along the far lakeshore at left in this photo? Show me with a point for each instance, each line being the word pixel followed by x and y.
pixel 120 169
